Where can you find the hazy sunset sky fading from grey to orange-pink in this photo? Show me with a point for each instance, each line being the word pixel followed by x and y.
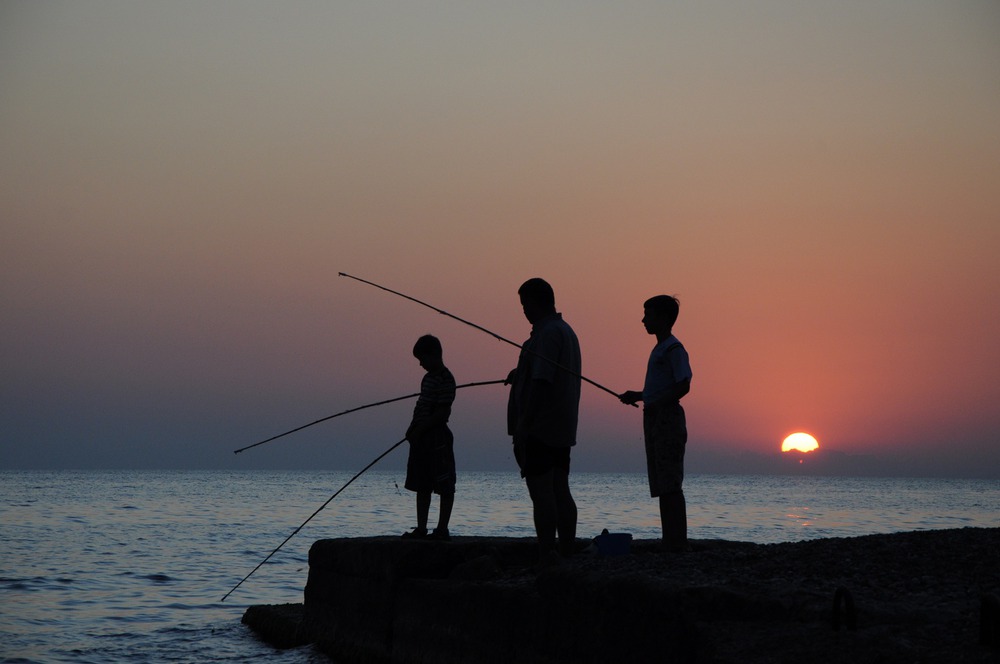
pixel 182 182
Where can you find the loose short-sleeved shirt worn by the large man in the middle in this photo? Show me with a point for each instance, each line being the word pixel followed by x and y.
pixel 552 355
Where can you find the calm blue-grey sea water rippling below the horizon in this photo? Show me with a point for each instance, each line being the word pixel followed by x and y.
pixel 124 566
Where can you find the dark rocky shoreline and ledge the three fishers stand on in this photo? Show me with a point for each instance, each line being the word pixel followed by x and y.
pixel 927 596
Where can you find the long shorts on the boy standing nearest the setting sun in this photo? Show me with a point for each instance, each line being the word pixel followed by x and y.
pixel 665 428
